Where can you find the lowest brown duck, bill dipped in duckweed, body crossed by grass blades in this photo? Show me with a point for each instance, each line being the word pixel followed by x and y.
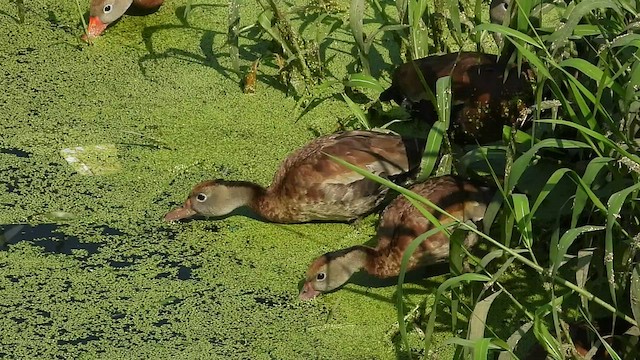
pixel 400 224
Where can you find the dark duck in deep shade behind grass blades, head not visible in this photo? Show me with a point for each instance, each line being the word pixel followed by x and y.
pixel 483 99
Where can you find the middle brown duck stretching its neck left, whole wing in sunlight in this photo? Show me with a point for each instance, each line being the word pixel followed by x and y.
pixel 310 186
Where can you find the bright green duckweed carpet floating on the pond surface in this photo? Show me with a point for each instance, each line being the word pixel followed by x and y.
pixel 109 279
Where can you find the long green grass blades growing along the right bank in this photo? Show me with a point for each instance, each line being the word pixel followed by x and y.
pixel 566 211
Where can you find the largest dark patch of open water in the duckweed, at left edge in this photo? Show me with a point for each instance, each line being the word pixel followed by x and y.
pixel 48 236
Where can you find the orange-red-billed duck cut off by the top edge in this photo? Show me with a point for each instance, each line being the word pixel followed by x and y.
pixel 104 12
